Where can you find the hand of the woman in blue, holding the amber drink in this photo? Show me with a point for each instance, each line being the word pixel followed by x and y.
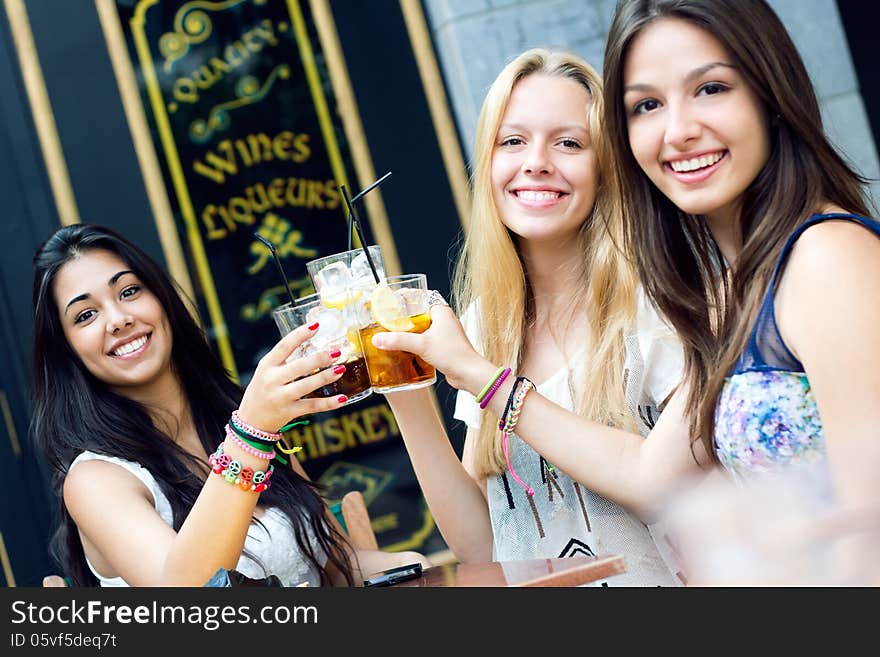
pixel 445 346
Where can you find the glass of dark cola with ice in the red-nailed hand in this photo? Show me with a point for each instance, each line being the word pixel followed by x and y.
pixel 337 329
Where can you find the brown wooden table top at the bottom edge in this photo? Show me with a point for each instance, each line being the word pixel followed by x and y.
pixel 570 571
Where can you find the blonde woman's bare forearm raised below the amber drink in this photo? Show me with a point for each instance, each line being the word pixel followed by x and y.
pixel 456 499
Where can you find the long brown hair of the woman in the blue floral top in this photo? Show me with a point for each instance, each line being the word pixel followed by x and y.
pixel 678 261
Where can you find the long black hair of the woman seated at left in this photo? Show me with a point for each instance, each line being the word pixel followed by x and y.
pixel 74 411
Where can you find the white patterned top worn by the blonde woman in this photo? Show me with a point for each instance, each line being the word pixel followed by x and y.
pixel 568 519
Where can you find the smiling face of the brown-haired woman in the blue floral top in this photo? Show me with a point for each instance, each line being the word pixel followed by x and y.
pixel 696 128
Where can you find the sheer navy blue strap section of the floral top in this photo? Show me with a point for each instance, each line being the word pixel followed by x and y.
pixel 766 350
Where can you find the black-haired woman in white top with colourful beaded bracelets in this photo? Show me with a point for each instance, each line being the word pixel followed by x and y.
pixel 168 472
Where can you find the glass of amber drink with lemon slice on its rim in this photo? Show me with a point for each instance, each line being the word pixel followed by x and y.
pixel 398 304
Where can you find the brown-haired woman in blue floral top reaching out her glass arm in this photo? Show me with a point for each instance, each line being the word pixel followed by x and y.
pixel 751 237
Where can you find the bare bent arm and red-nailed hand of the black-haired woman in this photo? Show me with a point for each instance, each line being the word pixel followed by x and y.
pixel 123 533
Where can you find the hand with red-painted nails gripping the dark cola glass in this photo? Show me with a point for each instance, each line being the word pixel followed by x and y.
pixel 275 393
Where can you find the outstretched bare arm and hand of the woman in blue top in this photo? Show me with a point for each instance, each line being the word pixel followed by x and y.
pixel 634 472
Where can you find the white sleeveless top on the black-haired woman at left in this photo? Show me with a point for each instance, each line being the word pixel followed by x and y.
pixel 273 543
